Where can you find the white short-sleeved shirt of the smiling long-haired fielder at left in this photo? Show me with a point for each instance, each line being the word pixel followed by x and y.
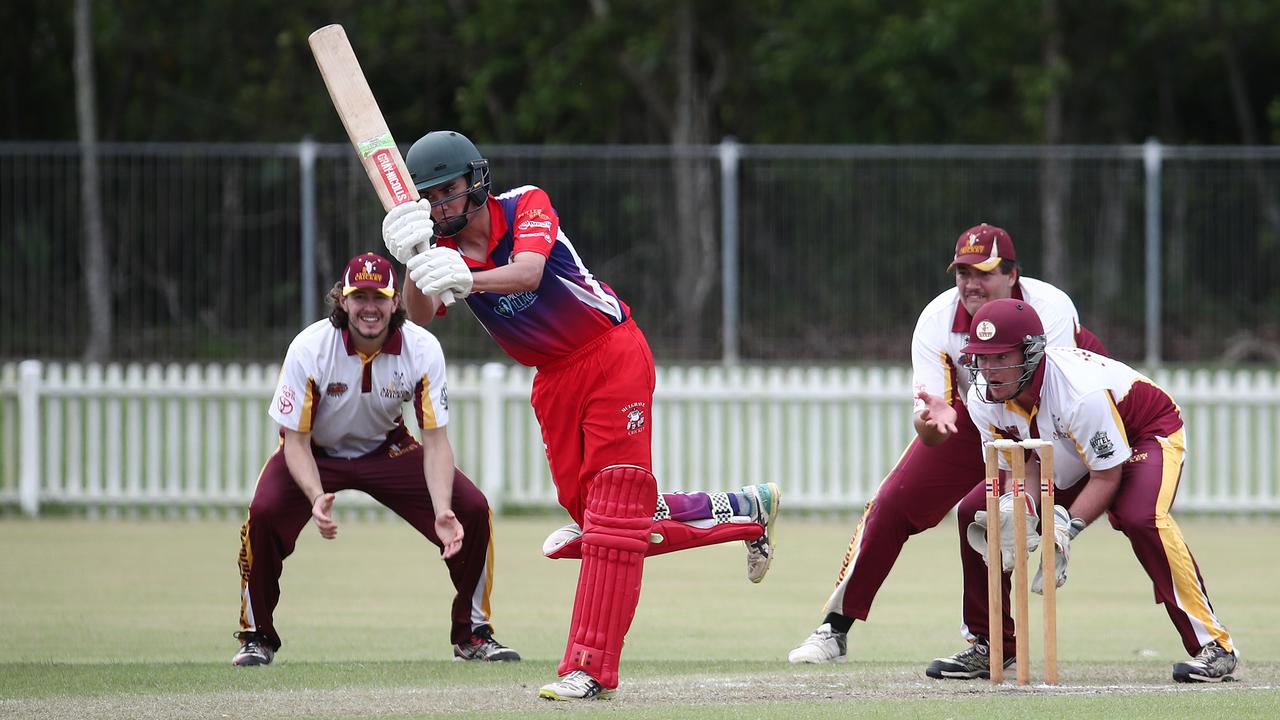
pixel 351 403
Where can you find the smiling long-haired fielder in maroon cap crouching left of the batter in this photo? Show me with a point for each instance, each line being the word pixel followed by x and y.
pixel 340 402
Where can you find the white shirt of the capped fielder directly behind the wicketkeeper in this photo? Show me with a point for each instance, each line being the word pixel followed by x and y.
pixel 943 330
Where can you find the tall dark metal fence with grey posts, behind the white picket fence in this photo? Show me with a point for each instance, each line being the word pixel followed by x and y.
pixel 816 254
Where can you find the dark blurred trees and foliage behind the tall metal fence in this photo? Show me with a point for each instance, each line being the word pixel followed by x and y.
pixel 872 134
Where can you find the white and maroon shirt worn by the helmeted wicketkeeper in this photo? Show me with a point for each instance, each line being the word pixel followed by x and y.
pixel 1092 408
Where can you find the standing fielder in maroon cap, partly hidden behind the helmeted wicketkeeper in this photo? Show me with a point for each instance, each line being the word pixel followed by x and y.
pixel 945 461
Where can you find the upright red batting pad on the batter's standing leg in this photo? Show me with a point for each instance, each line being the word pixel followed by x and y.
pixel 620 505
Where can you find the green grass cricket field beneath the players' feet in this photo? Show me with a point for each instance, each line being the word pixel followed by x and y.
pixel 136 619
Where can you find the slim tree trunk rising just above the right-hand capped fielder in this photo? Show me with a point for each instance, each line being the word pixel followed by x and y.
pixel 1055 172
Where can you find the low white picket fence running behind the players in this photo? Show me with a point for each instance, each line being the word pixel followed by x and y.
pixel 191 438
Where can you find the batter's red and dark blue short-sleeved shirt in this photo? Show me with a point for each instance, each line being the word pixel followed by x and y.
pixel 569 309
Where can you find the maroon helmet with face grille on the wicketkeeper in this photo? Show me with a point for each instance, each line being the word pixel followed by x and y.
pixel 1003 326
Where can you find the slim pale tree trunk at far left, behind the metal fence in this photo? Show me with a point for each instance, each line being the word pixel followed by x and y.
pixel 95 263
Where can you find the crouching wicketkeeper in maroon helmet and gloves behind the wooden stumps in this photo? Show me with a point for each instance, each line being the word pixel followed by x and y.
pixel 1119 448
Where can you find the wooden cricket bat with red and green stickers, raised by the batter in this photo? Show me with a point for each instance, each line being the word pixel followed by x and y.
pixel 364 121
